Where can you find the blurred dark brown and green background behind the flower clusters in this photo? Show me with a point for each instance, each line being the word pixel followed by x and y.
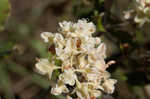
pixel 22 21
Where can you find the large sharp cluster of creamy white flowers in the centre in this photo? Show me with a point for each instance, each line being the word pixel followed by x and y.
pixel 83 72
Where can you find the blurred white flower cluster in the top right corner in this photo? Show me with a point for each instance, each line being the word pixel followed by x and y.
pixel 141 12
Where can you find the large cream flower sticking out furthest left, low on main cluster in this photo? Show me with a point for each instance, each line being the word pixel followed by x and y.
pixel 45 67
